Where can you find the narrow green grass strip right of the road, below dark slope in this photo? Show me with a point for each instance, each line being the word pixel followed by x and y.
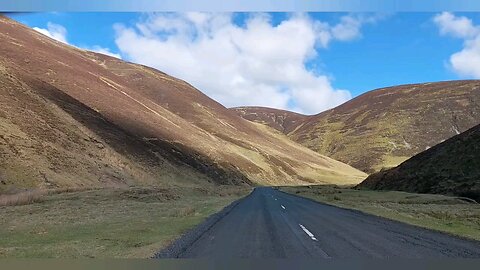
pixel 437 212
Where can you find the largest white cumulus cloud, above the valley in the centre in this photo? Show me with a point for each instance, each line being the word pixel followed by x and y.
pixel 258 63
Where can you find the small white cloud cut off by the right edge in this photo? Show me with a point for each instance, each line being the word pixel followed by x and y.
pixel 466 62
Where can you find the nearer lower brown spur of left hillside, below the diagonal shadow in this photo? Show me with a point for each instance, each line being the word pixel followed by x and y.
pixel 50 140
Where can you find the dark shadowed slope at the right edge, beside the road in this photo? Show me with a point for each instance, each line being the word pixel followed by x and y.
pixel 452 167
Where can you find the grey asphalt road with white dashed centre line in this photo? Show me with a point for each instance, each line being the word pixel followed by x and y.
pixel 272 224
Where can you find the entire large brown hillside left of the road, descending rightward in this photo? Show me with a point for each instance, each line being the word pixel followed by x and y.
pixel 72 117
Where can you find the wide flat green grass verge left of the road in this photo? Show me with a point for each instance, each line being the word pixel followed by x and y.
pixel 132 223
